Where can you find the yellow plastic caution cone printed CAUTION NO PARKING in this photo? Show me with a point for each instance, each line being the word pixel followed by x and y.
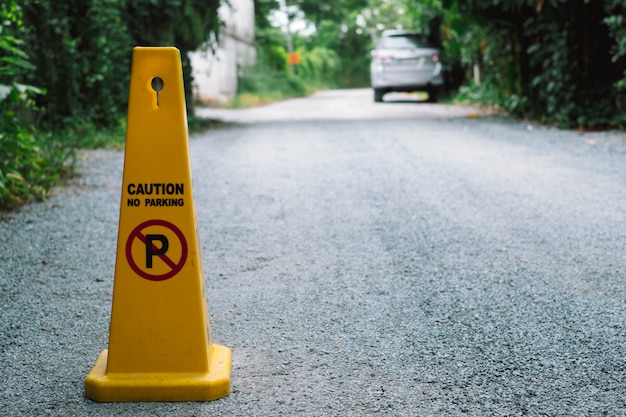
pixel 160 346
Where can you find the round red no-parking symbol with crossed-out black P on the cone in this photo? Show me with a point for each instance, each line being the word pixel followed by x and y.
pixel 156 250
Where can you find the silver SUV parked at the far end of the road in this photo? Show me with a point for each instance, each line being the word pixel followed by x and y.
pixel 405 61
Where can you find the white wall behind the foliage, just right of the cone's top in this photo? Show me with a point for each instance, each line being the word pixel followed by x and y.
pixel 215 74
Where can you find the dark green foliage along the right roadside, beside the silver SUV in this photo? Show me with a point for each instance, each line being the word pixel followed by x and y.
pixel 563 65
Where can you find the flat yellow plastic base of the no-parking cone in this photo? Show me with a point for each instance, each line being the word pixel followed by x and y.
pixel 103 387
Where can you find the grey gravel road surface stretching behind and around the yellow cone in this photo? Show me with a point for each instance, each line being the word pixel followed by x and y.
pixel 389 259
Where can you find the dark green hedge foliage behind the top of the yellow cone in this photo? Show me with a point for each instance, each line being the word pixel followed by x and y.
pixel 82 50
